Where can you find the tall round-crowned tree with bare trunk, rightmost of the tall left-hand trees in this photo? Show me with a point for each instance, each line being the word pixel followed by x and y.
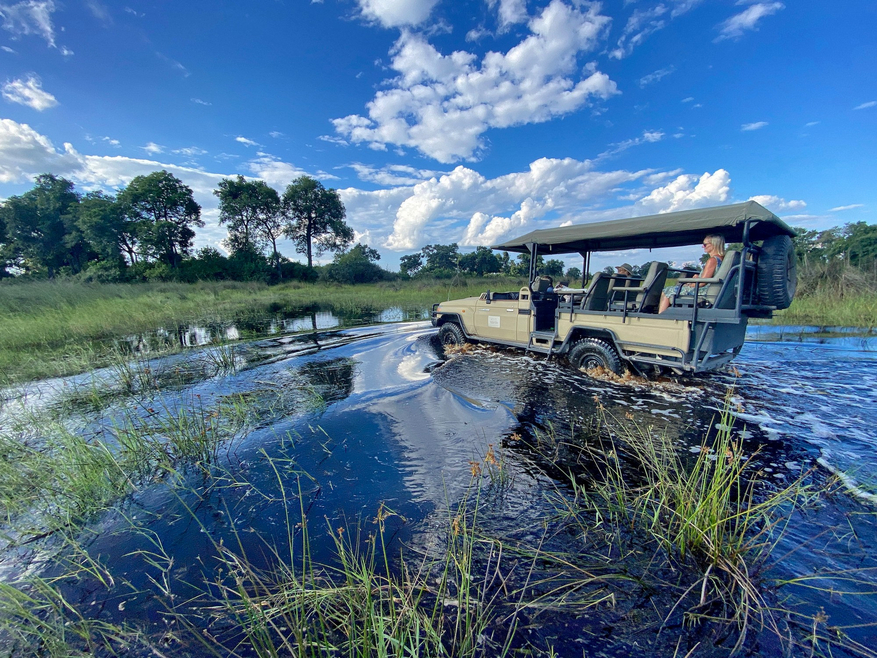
pixel 314 218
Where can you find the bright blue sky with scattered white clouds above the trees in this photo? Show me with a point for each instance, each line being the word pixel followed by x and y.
pixel 453 121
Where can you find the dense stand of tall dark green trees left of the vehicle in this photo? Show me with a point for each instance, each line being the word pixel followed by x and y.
pixel 145 232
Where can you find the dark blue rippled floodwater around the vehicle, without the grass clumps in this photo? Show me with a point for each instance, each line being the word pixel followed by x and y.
pixel 347 421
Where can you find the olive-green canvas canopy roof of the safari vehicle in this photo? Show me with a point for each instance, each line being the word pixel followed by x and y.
pixel 673 229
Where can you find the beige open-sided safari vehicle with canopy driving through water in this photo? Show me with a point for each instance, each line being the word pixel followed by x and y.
pixel 614 320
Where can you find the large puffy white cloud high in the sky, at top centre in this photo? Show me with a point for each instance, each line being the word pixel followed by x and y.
pixel 441 105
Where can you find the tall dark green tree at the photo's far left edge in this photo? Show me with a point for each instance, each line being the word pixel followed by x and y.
pixel 41 227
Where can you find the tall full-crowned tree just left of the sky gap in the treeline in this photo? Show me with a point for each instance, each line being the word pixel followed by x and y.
pixel 167 210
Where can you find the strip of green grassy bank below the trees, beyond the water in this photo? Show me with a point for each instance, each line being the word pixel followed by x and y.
pixel 58 328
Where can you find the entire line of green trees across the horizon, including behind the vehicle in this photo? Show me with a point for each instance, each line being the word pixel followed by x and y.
pixel 145 233
